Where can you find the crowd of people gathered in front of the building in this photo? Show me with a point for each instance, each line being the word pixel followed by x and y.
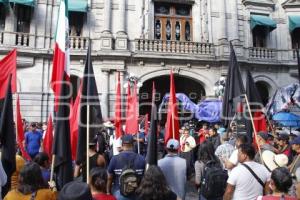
pixel 221 164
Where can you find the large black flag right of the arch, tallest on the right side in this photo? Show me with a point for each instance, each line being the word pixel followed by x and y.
pixel 234 88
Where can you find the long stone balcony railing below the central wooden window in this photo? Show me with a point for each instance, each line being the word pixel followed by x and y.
pixel 144 45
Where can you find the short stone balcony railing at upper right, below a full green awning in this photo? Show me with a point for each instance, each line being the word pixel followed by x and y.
pixel 262 53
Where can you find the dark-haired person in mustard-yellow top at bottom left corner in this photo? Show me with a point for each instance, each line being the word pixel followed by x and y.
pixel 31 185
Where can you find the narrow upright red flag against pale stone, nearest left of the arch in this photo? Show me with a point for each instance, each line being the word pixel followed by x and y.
pixel 118 123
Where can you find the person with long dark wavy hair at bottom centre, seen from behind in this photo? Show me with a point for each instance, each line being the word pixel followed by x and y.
pixel 154 186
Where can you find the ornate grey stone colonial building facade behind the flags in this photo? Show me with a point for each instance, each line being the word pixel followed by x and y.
pixel 147 38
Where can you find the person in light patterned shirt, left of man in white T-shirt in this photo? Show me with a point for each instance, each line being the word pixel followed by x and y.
pixel 224 151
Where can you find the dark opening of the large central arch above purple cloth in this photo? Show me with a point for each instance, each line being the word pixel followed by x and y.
pixel 193 89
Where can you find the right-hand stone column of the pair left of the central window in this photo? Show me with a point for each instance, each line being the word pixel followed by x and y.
pixel 121 38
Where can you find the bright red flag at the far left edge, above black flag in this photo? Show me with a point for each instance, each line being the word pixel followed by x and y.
pixel 8 65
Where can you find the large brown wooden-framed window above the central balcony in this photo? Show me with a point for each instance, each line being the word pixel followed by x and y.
pixel 173 22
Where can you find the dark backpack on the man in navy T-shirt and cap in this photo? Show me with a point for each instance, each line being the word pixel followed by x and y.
pixel 129 181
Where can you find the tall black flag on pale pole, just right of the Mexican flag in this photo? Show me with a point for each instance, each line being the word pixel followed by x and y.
pixel 89 96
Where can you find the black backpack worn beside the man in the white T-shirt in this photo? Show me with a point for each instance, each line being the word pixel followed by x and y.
pixel 214 181
